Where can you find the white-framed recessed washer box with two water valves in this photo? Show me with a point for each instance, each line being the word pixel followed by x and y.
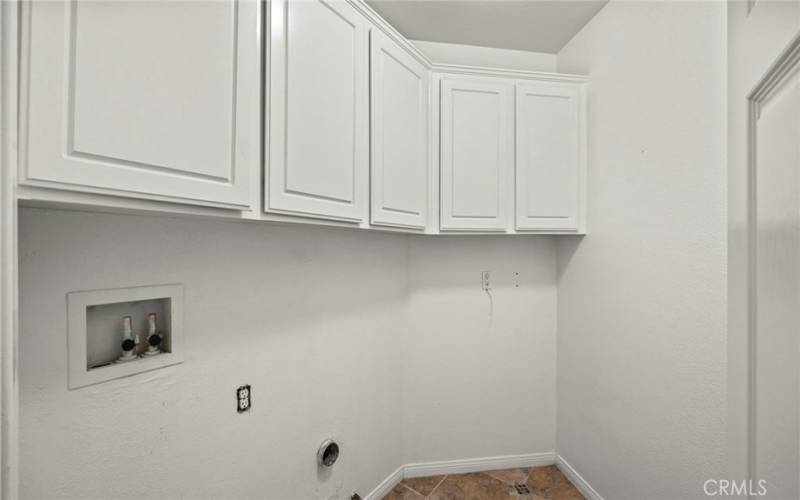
pixel 103 345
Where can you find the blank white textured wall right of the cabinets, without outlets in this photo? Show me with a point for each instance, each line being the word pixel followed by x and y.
pixel 641 299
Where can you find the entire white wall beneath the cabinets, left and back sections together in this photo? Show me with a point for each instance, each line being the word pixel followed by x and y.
pixel 327 325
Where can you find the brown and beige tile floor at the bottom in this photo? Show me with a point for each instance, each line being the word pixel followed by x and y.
pixel 544 483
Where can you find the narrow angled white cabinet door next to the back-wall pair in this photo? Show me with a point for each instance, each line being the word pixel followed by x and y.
pixel 399 136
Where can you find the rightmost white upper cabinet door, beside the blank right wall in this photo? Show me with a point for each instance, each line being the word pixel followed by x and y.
pixel 550 157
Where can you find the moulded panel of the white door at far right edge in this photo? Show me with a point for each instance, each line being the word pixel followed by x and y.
pixel 776 127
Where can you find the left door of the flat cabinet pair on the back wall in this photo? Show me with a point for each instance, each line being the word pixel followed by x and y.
pixel 476 154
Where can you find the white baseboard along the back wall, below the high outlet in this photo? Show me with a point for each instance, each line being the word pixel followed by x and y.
pixel 478 464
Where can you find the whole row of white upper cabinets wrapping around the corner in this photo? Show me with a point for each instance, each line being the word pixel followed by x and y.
pixel 128 104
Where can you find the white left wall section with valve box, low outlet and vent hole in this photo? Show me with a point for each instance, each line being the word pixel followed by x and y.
pixel 308 317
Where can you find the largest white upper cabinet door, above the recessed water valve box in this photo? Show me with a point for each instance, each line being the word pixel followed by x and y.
pixel 153 100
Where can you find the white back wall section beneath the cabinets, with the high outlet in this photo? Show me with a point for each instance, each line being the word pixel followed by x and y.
pixel 479 373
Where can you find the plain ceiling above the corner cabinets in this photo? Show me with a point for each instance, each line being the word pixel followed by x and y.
pixel 535 25
